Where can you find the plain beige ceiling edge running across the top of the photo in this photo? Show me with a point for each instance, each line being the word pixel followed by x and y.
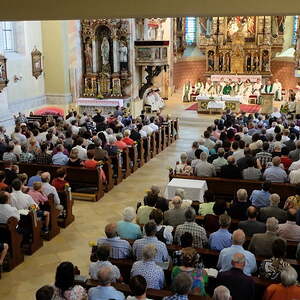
pixel 81 9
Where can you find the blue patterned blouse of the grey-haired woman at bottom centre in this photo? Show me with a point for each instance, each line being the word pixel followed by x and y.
pixel 153 274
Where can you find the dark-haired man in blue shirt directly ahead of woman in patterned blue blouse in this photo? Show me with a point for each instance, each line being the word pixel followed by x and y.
pixel 150 238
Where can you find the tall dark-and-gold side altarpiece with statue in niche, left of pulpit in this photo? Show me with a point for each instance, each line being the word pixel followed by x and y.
pixel 105 52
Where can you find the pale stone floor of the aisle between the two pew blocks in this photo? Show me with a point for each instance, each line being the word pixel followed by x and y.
pixel 90 218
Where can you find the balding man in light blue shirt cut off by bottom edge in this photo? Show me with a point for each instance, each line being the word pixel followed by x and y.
pixel 104 291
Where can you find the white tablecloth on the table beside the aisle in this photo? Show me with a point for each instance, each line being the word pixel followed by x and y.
pixel 193 189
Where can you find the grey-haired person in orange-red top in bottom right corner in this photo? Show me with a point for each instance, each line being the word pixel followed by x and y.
pixel 287 289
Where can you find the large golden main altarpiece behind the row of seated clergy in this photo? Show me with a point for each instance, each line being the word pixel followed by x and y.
pixel 240 45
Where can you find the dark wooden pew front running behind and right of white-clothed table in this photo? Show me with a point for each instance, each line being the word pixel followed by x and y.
pixel 226 188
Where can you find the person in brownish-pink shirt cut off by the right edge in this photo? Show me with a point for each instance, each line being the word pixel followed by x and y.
pixel 290 230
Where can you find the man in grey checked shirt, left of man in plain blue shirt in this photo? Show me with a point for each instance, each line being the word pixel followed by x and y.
pixel 198 232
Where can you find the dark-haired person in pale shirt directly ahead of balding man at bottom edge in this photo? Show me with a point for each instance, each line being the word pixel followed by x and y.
pixel 102 254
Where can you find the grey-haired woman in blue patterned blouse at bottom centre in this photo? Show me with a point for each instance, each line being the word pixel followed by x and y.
pixel 147 268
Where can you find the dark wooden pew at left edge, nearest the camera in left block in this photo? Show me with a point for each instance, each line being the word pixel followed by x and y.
pixel 9 234
